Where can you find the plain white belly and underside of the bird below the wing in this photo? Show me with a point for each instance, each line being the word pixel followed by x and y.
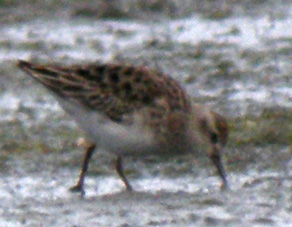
pixel 109 135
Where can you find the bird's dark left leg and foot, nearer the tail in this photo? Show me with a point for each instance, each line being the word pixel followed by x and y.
pixel 89 152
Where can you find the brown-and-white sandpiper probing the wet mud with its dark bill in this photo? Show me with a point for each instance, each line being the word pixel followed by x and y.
pixel 125 109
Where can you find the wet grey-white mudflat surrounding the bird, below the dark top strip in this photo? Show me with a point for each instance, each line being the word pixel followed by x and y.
pixel 239 65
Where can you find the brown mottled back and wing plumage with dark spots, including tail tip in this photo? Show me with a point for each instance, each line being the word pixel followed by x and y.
pixel 112 89
